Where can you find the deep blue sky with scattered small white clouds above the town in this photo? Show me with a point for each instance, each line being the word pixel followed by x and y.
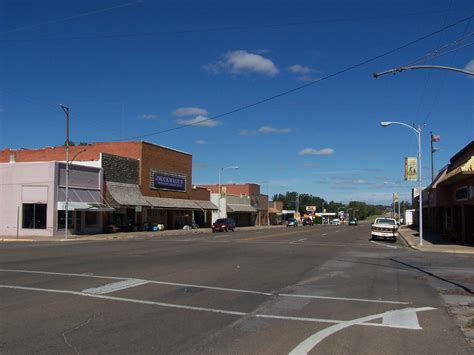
pixel 132 68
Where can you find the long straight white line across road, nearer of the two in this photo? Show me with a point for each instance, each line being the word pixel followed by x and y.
pixel 204 309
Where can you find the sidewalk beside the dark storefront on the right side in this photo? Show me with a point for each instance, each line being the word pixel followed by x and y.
pixel 433 242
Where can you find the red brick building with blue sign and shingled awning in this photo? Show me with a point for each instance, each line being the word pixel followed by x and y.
pixel 145 183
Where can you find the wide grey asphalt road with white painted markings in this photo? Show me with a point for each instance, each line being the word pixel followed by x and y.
pixel 318 290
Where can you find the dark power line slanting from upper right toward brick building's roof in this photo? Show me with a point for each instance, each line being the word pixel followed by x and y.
pixel 298 88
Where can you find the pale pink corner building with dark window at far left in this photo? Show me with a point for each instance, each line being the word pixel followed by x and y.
pixel 33 199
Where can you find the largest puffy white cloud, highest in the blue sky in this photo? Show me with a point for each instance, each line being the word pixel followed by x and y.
pixel 241 61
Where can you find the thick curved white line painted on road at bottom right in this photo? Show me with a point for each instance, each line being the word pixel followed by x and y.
pixel 307 345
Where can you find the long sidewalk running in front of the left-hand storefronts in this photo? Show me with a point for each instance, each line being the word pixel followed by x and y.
pixel 125 235
